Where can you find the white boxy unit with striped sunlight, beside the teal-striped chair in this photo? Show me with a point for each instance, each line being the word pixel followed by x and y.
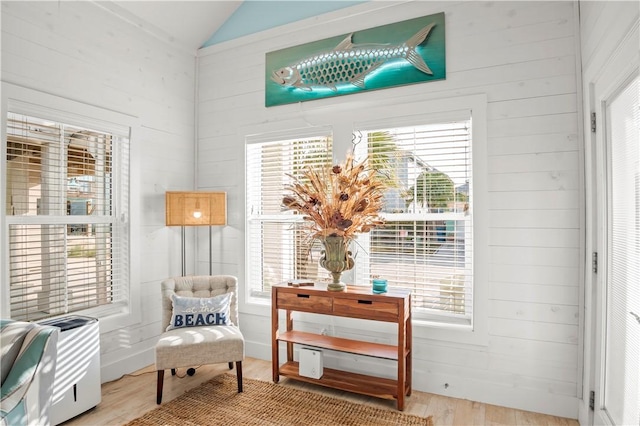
pixel 76 386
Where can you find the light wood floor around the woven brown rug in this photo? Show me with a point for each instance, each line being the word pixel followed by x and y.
pixel 133 395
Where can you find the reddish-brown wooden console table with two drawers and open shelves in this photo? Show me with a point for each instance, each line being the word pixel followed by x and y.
pixel 355 302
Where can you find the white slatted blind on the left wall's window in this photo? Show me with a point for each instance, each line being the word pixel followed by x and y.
pixel 66 208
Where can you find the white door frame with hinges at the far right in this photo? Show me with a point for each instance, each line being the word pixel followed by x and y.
pixel 617 72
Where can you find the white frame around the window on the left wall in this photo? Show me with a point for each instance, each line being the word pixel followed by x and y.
pixel 34 103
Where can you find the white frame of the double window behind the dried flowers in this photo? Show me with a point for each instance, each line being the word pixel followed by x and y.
pixel 386 114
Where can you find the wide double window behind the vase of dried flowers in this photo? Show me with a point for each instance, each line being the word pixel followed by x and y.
pixel 434 220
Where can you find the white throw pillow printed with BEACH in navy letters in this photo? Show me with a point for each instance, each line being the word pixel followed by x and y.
pixel 198 311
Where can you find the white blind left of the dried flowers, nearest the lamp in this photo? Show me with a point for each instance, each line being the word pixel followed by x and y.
pixel 277 248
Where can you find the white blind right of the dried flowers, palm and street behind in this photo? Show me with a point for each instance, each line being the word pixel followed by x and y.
pixel 426 243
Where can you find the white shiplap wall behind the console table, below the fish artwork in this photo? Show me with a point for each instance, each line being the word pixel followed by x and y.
pixel 523 56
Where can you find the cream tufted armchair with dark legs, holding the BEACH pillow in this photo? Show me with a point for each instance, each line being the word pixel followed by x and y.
pixel 200 325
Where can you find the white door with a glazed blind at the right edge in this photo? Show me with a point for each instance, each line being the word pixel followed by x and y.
pixel 618 383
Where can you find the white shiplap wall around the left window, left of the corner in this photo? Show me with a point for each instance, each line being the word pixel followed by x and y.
pixel 78 50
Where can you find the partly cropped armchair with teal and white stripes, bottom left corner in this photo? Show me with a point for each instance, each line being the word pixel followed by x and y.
pixel 28 362
